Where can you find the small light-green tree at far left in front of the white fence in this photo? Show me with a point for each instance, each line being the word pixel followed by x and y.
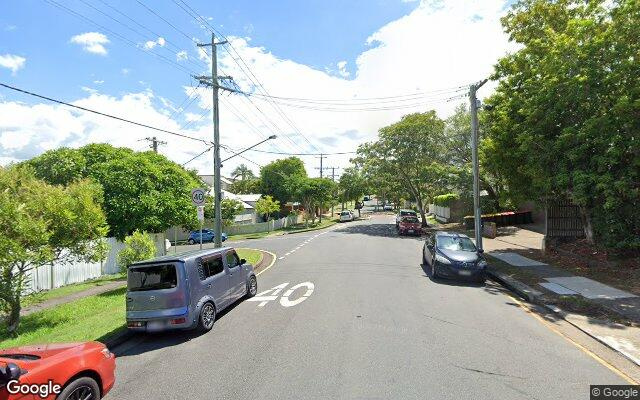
pixel 43 224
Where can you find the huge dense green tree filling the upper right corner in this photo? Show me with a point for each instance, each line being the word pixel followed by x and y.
pixel 564 122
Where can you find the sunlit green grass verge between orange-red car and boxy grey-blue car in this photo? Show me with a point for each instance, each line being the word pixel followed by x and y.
pixel 89 318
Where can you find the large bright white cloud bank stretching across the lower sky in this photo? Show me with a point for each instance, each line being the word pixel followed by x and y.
pixel 426 50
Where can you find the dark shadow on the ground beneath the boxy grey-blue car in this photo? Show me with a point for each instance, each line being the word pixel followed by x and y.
pixel 159 340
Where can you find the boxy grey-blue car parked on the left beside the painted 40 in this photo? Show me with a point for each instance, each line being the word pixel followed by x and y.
pixel 187 290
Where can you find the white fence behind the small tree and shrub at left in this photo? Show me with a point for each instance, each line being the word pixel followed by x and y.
pixel 53 276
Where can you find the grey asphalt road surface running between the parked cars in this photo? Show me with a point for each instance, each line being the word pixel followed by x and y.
pixel 375 326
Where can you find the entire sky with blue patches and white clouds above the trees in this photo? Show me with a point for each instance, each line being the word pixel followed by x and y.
pixel 323 76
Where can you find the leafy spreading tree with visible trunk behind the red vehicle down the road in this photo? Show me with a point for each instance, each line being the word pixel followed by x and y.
pixel 411 152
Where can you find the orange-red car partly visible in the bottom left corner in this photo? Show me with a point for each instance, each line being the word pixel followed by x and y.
pixel 70 371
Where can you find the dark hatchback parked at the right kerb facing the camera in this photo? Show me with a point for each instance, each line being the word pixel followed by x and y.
pixel 453 255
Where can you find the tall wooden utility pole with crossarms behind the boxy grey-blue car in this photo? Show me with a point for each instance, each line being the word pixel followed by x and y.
pixel 213 82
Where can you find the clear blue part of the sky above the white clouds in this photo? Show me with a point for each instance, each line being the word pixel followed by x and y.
pixel 314 33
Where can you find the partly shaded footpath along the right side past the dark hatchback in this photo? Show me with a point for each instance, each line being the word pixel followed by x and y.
pixel 608 314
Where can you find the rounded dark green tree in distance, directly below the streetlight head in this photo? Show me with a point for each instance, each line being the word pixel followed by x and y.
pixel 276 178
